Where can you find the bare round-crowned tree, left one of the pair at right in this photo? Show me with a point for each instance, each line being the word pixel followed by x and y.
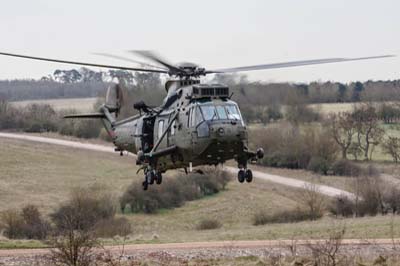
pixel 342 128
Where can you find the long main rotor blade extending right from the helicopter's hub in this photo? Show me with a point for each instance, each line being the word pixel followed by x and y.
pixel 293 64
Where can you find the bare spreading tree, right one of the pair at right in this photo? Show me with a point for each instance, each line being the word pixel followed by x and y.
pixel 369 134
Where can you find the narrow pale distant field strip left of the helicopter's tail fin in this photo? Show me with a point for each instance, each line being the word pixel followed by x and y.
pixel 80 104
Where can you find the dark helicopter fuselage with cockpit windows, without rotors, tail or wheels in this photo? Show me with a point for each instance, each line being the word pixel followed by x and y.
pixel 198 124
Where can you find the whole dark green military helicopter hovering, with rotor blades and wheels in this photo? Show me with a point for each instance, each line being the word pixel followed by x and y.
pixel 196 124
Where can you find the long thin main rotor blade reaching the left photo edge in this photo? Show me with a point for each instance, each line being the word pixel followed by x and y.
pixel 83 63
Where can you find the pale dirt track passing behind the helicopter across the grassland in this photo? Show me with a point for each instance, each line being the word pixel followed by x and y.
pixel 326 190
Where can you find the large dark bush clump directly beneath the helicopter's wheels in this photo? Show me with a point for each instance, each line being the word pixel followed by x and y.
pixel 174 192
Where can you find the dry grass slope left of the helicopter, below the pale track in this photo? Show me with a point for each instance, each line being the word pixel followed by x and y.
pixel 44 174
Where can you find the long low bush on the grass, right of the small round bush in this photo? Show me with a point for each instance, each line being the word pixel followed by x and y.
pixel 286 216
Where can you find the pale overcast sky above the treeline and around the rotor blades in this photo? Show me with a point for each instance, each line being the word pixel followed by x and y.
pixel 214 34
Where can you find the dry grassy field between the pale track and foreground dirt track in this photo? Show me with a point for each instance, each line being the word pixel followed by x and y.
pixel 43 174
